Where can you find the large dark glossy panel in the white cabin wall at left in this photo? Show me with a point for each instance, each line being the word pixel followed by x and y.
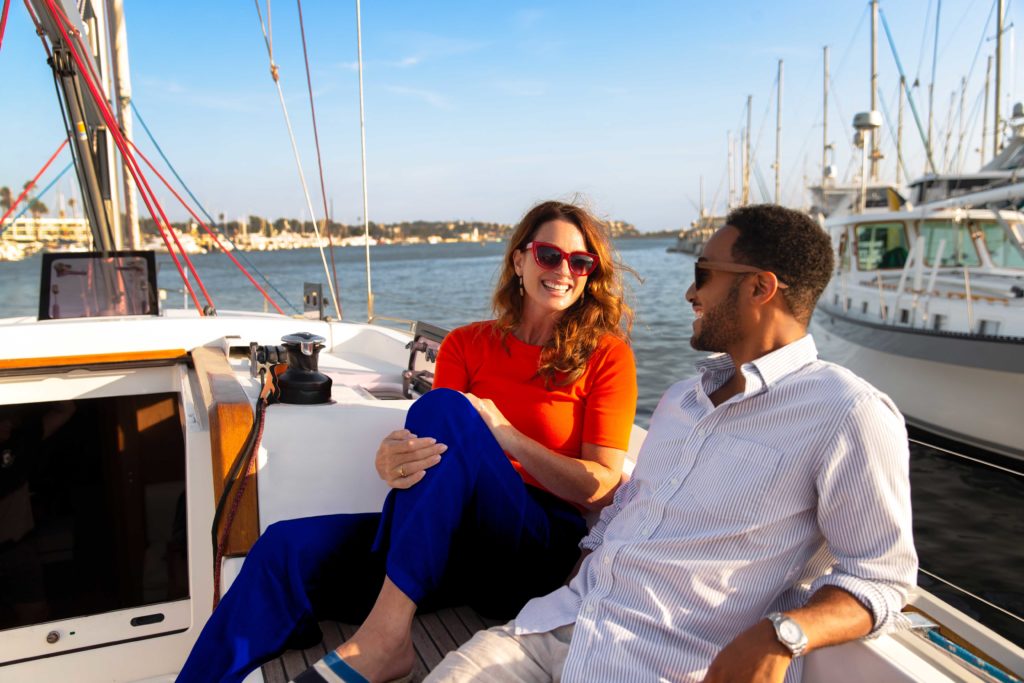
pixel 93 507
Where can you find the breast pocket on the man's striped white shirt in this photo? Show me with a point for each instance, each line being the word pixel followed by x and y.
pixel 733 479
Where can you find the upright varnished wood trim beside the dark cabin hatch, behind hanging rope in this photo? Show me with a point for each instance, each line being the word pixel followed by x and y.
pixel 231 418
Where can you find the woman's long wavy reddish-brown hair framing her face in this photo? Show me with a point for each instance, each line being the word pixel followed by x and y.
pixel 601 311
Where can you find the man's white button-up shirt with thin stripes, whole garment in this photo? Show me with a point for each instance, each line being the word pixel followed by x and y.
pixel 802 479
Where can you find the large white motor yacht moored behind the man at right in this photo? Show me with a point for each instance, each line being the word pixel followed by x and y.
pixel 928 305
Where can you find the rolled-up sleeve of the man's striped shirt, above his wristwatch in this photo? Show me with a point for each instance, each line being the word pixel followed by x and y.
pixel 865 511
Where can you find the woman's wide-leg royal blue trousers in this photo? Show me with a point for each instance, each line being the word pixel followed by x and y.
pixel 470 533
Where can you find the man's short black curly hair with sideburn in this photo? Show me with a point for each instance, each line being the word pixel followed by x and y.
pixel 791 245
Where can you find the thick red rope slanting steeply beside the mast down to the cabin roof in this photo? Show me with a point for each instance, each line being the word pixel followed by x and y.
pixel 133 165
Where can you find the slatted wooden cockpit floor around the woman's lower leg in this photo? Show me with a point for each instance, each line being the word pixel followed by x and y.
pixel 435 634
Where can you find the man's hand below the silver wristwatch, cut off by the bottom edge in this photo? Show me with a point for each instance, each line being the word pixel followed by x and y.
pixel 753 657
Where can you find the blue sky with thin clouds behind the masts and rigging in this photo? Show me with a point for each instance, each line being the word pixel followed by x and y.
pixel 477 110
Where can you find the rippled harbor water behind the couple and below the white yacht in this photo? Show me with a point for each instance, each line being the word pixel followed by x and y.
pixel 968 516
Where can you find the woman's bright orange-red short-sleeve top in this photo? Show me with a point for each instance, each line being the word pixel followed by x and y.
pixel 599 408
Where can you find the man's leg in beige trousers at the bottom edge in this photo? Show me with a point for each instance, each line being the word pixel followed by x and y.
pixel 498 656
